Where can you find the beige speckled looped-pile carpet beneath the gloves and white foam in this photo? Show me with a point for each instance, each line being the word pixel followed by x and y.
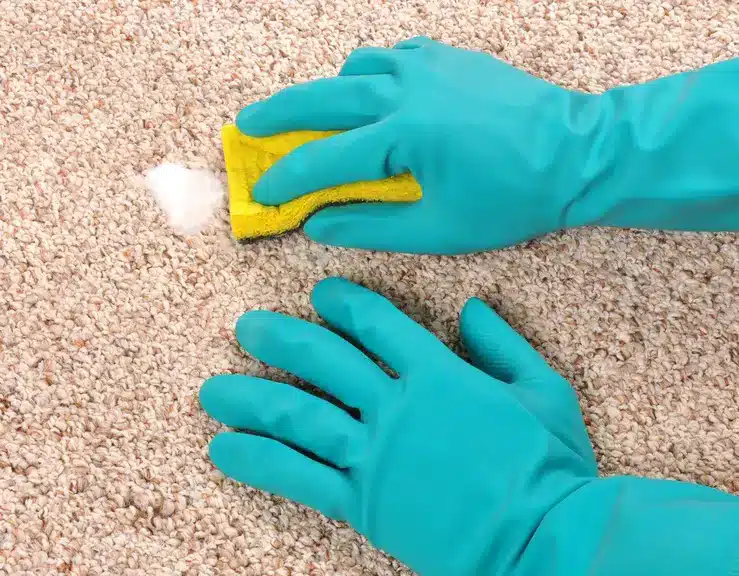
pixel 109 322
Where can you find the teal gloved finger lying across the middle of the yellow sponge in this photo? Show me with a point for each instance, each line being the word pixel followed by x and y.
pixel 366 153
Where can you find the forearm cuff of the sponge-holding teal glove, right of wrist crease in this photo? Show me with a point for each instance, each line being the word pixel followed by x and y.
pixel 665 156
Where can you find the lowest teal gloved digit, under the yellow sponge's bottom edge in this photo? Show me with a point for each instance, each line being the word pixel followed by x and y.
pixel 371 226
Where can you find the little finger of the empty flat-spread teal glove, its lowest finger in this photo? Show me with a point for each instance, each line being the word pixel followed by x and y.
pixel 269 465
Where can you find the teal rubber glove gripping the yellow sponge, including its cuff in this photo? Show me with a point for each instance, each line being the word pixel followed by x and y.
pixel 501 156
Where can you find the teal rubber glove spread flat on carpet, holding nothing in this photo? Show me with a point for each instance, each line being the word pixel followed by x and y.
pixel 452 468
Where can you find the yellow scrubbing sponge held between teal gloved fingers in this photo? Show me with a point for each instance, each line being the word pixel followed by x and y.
pixel 247 158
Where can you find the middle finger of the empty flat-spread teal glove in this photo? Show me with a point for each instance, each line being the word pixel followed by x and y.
pixel 316 355
